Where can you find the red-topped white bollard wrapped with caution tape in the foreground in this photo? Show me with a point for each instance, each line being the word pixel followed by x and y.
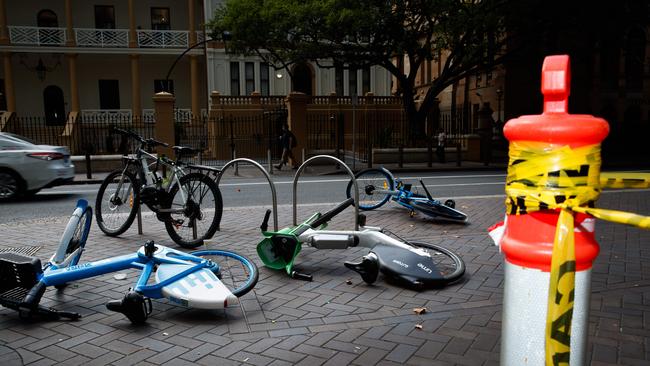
pixel 528 238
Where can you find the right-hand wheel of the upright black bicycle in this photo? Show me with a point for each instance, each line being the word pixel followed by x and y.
pixel 199 204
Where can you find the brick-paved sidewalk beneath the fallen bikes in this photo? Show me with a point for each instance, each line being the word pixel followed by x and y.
pixel 327 321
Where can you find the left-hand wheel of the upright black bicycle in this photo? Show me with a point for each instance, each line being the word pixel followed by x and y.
pixel 117 203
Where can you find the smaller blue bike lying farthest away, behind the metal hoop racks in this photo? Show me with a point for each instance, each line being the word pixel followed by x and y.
pixel 377 186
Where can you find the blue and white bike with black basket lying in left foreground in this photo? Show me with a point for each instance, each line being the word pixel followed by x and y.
pixel 206 279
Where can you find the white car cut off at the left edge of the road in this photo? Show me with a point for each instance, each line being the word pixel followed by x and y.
pixel 26 168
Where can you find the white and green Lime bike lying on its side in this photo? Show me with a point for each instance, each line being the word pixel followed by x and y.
pixel 413 264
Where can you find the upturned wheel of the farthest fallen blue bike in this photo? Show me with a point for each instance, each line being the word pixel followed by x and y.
pixel 368 181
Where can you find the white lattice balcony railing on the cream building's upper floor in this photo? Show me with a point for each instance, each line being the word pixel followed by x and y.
pixel 103 38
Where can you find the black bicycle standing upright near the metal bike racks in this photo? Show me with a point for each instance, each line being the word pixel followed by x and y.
pixel 187 200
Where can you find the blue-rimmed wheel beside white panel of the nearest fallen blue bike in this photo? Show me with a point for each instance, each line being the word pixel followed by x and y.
pixel 238 273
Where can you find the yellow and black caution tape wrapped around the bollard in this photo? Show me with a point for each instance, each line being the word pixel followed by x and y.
pixel 549 177
